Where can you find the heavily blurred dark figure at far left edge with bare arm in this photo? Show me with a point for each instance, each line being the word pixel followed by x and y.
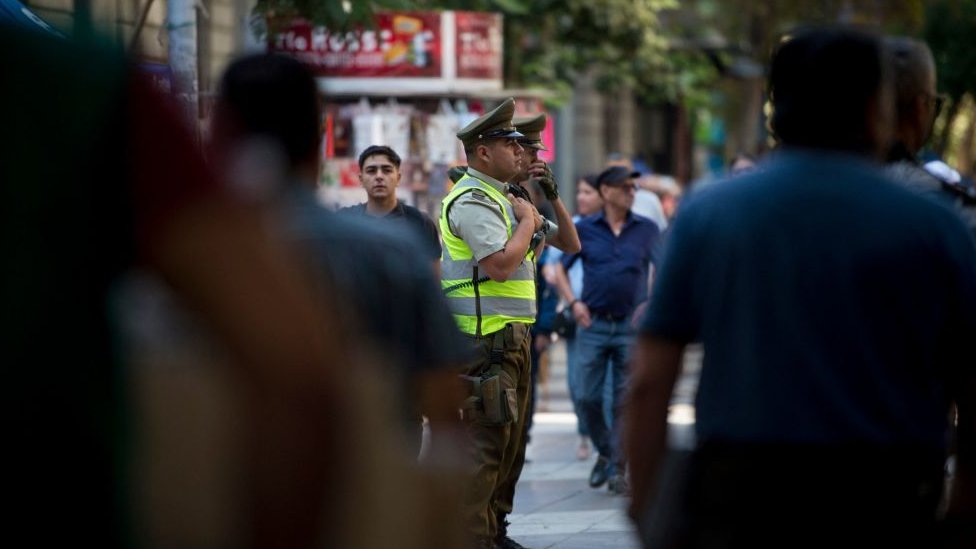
pixel 99 177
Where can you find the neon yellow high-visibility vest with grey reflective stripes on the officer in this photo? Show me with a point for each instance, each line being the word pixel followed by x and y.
pixel 499 302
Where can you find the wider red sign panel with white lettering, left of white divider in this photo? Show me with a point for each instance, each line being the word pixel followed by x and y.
pixel 402 45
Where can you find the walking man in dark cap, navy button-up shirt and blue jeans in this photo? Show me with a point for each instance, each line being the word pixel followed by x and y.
pixel 617 247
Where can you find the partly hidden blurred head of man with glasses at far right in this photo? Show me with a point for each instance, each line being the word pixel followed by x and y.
pixel 916 101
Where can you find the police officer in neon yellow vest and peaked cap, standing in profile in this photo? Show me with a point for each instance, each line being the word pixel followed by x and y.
pixel 491 240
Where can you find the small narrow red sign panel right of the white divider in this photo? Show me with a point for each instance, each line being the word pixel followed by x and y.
pixel 478 46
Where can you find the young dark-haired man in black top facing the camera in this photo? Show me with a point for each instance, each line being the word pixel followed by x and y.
pixel 379 174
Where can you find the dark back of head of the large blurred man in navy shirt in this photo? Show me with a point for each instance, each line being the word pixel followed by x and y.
pixel 829 89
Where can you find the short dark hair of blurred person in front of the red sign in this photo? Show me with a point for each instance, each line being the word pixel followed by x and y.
pixel 276 96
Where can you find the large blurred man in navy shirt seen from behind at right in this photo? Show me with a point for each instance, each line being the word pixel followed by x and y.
pixel 835 310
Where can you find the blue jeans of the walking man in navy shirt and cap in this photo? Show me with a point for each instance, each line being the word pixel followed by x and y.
pixel 604 357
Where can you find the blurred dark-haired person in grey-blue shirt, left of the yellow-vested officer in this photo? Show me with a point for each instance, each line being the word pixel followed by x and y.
pixel 389 297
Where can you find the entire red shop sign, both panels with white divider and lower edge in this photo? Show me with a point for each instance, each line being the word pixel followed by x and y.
pixel 405 53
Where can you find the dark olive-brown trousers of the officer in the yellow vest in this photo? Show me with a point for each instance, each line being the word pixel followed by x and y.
pixel 497 452
